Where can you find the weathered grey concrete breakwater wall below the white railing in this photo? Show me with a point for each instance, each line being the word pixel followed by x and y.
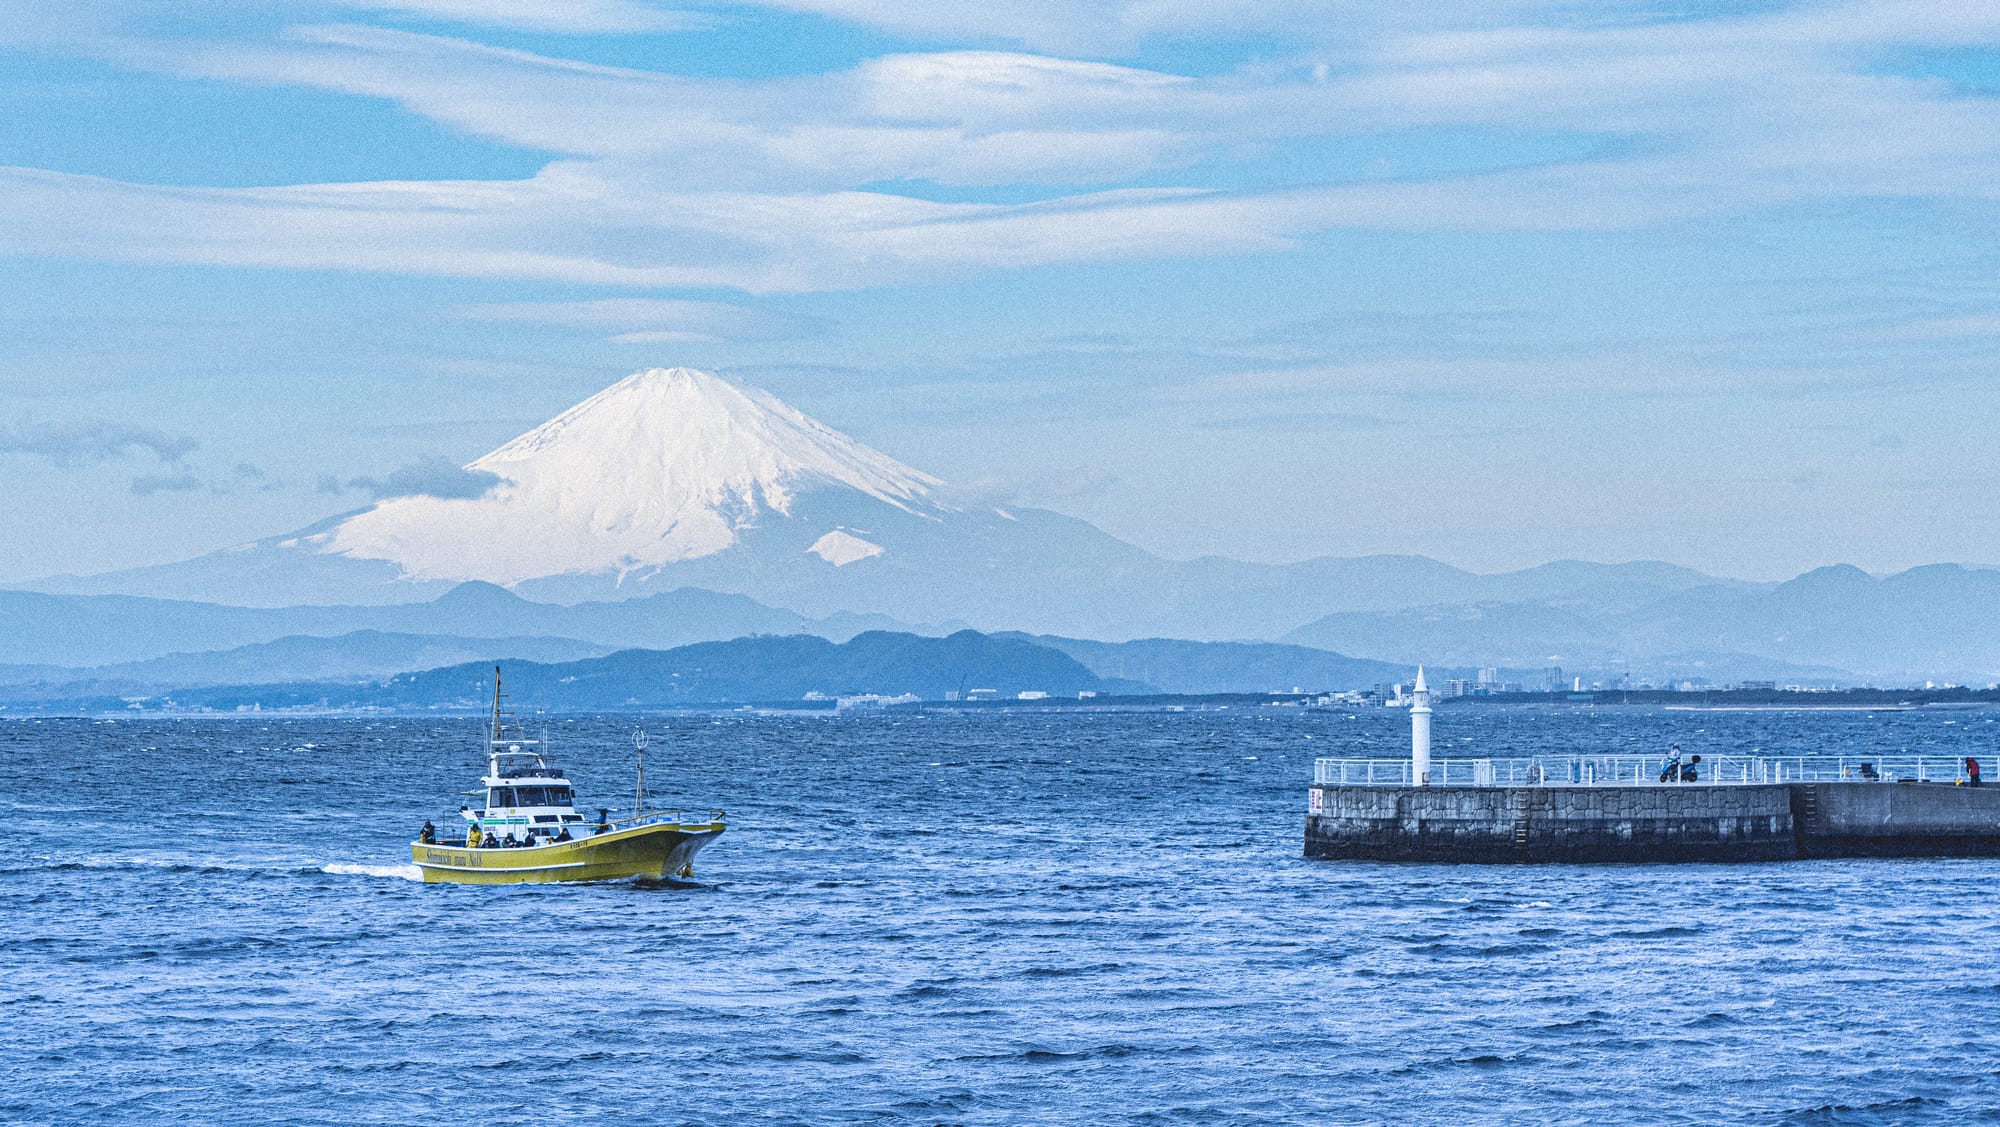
pixel 1757 822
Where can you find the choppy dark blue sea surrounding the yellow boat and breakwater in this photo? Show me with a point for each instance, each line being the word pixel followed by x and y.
pixel 953 920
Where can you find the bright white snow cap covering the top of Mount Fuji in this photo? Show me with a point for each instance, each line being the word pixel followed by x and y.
pixel 665 467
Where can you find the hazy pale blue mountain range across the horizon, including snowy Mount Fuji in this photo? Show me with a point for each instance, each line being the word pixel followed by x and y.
pixel 677 507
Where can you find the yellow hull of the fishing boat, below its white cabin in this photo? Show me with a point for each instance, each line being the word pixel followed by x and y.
pixel 661 850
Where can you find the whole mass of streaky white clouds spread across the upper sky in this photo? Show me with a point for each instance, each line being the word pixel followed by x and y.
pixel 775 185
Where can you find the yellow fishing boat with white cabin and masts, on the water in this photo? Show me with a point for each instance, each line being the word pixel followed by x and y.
pixel 529 830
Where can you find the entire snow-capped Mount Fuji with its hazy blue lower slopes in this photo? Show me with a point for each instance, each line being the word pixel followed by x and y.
pixel 679 479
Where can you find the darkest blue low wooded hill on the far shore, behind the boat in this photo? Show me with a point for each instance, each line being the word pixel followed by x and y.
pixel 747 670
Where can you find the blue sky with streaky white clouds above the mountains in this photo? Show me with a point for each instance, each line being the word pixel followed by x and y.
pixel 1495 283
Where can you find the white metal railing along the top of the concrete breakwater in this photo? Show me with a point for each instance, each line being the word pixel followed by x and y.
pixel 1643 770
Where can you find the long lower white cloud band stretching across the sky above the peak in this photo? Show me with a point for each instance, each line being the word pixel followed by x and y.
pixel 587 225
